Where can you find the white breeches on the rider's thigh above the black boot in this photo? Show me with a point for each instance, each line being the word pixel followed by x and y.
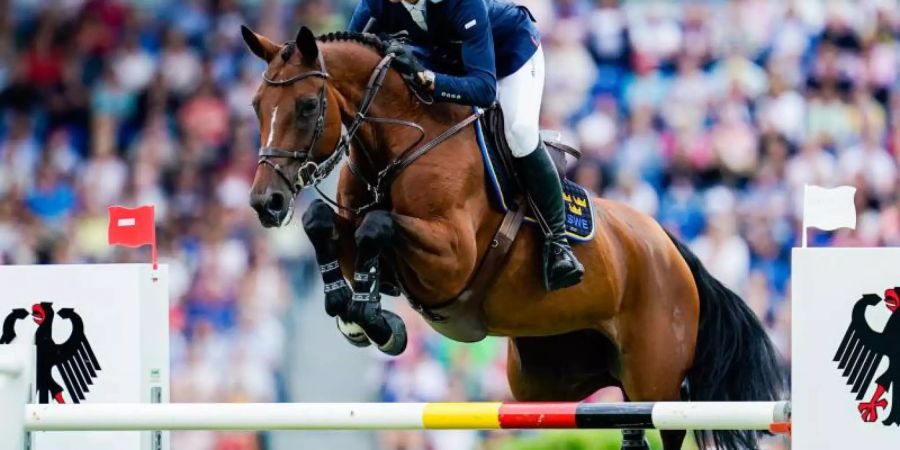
pixel 520 95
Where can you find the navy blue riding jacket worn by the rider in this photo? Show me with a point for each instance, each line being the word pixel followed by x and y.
pixel 469 43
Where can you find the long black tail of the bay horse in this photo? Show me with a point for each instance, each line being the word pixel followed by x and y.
pixel 734 360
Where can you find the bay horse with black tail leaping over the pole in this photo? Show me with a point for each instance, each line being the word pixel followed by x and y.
pixel 647 317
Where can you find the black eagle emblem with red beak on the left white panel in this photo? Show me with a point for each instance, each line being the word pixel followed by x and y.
pixel 74 359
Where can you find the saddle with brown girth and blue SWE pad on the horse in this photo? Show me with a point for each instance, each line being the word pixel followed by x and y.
pixel 462 318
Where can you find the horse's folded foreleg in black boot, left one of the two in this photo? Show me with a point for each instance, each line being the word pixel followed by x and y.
pixel 325 229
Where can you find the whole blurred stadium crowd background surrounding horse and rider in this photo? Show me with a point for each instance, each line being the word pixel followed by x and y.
pixel 709 115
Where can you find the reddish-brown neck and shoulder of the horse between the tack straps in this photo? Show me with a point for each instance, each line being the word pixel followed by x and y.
pixel 439 202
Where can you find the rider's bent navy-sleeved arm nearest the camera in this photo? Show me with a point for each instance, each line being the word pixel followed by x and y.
pixel 479 84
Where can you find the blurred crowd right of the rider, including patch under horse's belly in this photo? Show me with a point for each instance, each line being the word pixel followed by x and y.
pixel 710 116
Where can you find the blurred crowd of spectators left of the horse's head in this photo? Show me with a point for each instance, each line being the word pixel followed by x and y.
pixel 116 102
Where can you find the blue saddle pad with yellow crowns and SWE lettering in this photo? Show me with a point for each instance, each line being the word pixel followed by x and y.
pixel 579 207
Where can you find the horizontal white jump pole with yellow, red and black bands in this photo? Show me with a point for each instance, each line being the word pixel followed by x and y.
pixel 405 416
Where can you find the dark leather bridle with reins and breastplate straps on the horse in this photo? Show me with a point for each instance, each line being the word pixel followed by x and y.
pixel 312 173
